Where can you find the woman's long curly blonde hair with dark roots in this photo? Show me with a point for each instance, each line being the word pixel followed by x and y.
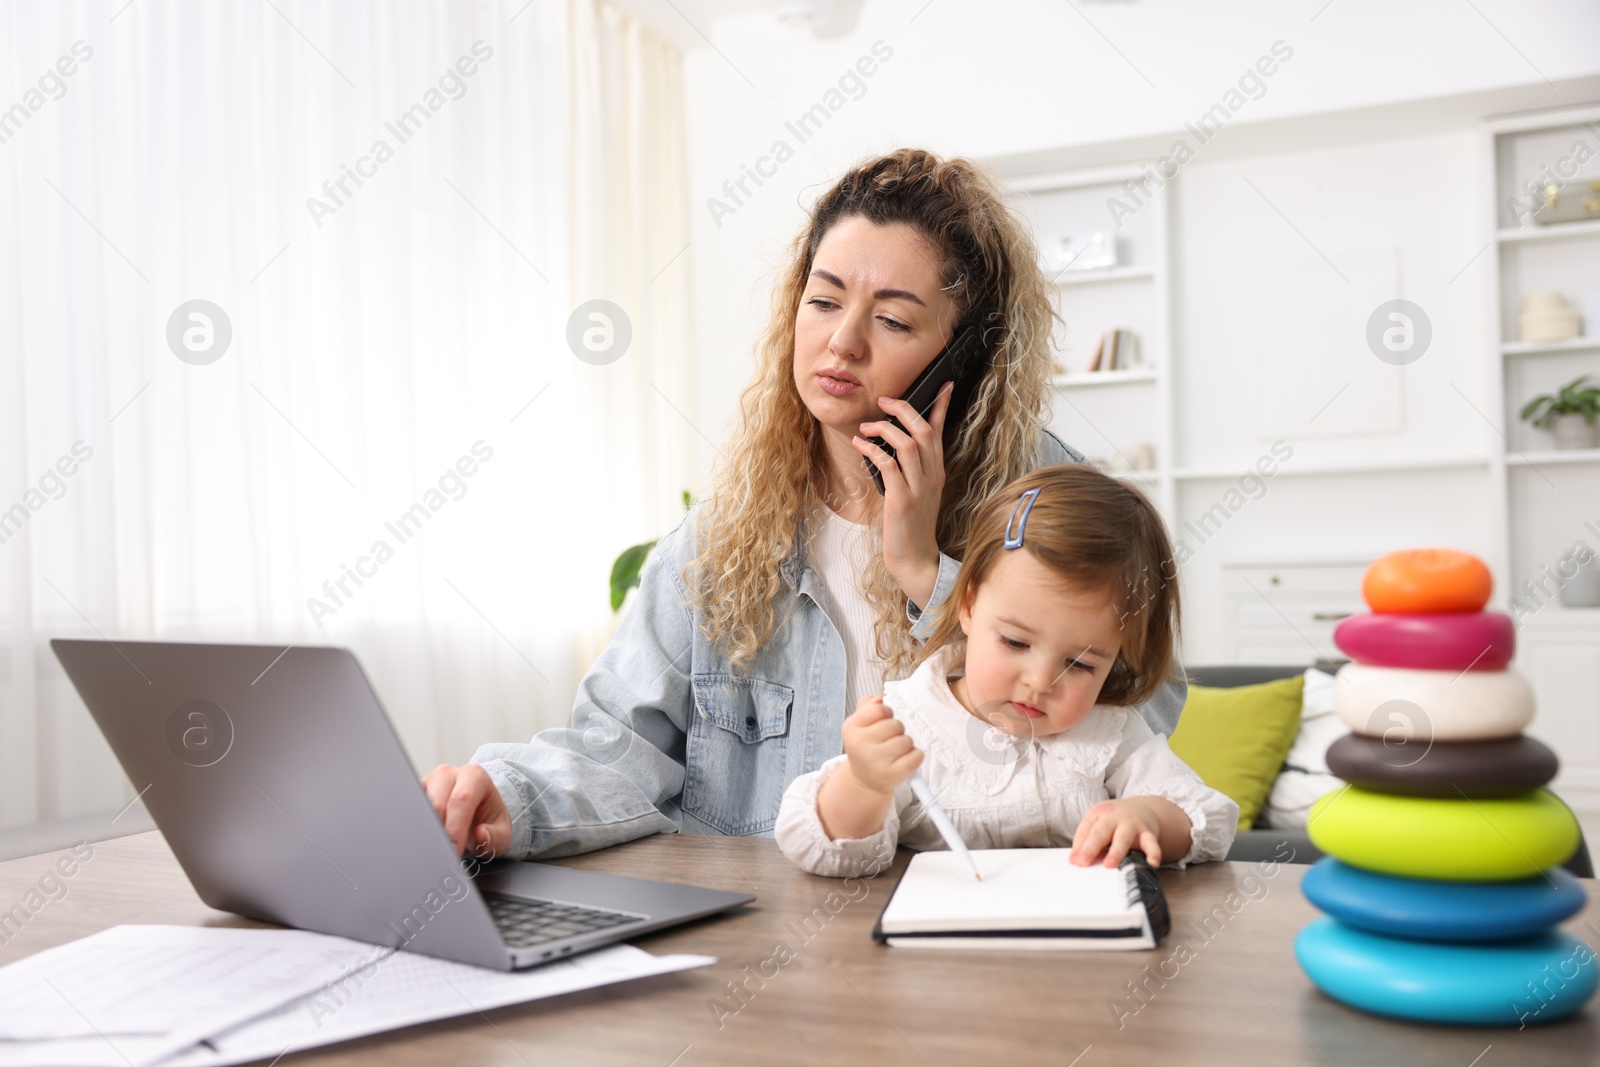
pixel 777 470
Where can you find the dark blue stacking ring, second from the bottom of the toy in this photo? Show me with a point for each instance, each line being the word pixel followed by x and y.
pixel 1442 911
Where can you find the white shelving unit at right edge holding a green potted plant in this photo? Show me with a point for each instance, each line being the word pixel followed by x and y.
pixel 1545 502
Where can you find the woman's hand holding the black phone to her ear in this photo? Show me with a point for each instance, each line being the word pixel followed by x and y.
pixel 913 486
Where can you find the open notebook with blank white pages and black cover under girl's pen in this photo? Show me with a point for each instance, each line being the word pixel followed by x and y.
pixel 1030 898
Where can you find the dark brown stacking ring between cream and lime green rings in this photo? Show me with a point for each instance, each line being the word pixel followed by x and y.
pixel 1444 769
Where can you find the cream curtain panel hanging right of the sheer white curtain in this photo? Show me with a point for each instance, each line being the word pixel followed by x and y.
pixel 631 249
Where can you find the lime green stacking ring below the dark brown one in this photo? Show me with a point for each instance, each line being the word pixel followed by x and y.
pixel 1455 841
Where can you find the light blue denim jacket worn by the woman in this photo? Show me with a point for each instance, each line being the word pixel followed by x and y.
pixel 665 737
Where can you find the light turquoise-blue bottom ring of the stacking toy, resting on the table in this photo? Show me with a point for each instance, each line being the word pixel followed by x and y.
pixel 1516 983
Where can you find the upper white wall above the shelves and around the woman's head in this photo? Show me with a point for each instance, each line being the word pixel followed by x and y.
pixel 1030 78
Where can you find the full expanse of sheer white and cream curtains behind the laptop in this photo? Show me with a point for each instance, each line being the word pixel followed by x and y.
pixel 398 209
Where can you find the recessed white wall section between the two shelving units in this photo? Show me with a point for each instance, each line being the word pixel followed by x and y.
pixel 1410 202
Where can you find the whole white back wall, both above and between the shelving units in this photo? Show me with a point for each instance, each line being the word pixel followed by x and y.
pixel 1026 84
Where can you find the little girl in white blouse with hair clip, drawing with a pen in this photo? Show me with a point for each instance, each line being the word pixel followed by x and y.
pixel 1020 708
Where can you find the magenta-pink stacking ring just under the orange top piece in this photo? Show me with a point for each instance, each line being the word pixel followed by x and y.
pixel 1479 641
